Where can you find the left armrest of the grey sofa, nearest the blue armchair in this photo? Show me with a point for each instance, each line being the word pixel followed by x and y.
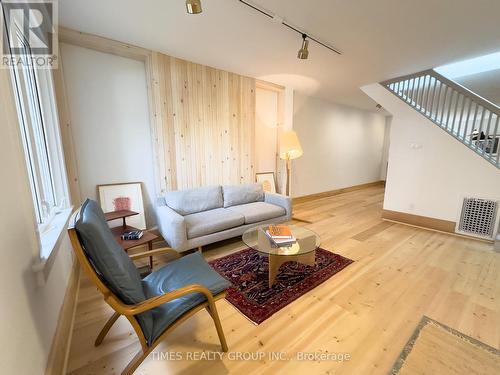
pixel 172 227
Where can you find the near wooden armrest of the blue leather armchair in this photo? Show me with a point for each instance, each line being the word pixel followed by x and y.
pixel 159 300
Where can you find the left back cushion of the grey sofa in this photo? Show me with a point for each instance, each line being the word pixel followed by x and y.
pixel 190 201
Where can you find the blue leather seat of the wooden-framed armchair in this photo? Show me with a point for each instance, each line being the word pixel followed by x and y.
pixel 190 269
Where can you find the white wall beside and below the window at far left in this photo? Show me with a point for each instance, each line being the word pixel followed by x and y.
pixel 29 313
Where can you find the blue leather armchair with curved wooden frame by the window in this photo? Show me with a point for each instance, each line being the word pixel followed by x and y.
pixel 155 305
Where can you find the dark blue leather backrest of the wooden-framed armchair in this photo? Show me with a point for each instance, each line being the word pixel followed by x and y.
pixel 109 260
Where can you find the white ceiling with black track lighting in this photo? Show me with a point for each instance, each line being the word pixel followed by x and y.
pixel 379 39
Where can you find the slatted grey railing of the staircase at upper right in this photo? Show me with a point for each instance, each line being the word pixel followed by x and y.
pixel 464 115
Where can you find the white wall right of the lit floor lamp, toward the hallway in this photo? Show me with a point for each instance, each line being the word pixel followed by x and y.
pixel 342 146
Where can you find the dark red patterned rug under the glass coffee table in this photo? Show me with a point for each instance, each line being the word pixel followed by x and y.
pixel 248 271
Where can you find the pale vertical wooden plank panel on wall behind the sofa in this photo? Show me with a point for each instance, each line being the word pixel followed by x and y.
pixel 204 124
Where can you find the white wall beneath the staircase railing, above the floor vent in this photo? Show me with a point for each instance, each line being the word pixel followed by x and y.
pixel 428 169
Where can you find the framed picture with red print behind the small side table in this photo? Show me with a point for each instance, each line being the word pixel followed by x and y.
pixel 123 196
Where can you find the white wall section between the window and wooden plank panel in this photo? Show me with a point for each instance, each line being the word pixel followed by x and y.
pixel 108 103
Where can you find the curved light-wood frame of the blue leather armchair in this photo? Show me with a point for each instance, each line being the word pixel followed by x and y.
pixel 130 311
